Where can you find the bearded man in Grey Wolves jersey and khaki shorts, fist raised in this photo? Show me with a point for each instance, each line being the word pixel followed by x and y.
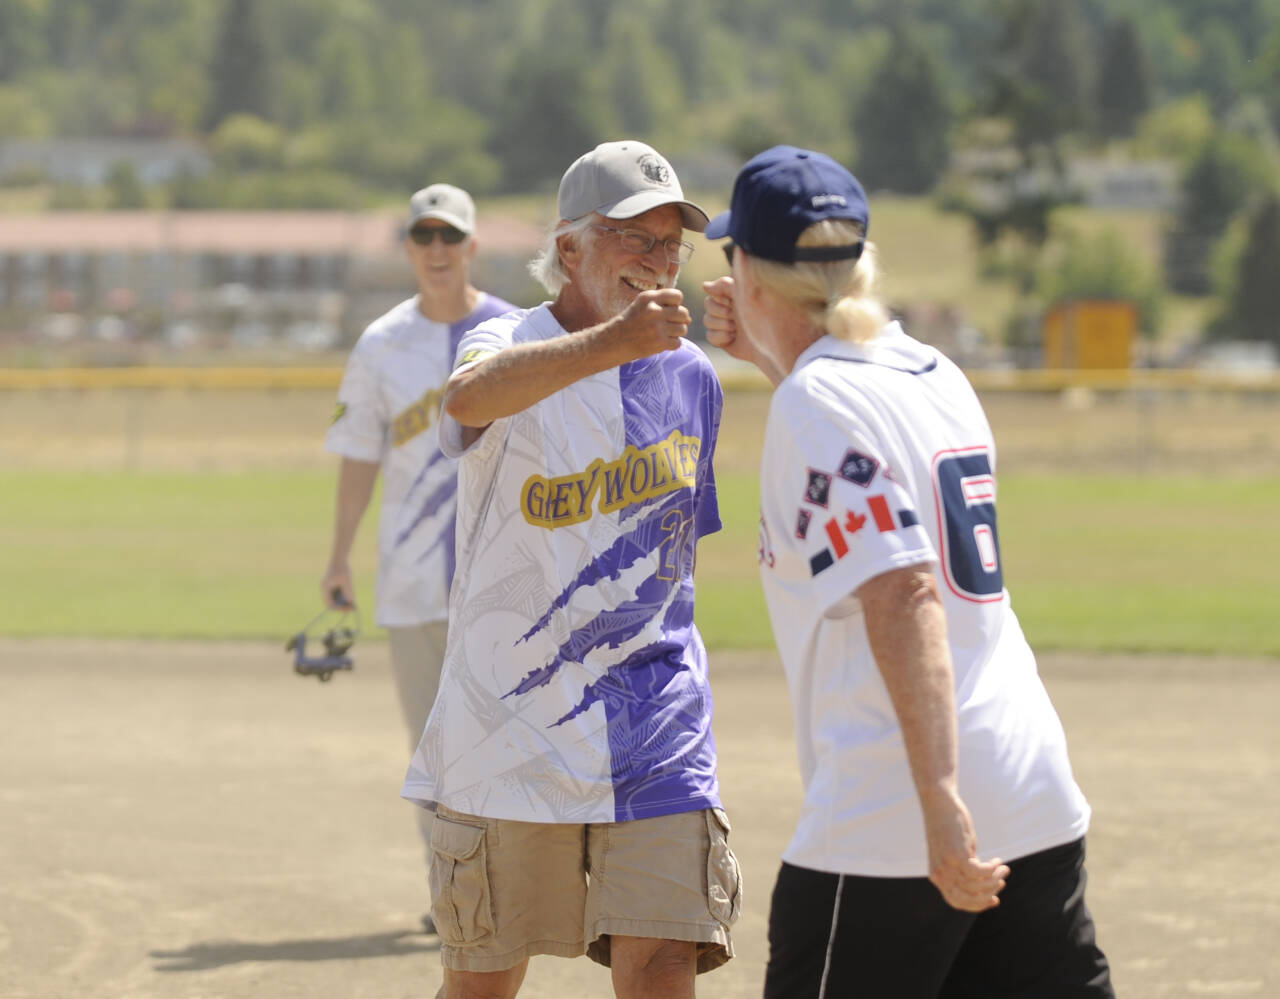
pixel 570 751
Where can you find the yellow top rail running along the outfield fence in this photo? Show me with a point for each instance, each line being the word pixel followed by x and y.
pixel 330 377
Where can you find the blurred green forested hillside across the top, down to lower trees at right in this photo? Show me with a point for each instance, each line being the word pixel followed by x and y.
pixel 984 106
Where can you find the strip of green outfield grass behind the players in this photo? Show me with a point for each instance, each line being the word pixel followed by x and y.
pixel 1094 563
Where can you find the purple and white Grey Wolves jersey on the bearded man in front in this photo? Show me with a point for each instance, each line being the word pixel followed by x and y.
pixel 575 685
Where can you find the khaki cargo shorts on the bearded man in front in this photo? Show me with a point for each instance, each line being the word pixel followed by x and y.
pixel 505 891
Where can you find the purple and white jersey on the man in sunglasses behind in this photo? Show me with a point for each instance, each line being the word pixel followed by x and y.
pixel 388 408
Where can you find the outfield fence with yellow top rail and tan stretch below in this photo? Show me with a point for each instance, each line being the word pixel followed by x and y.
pixel 235 418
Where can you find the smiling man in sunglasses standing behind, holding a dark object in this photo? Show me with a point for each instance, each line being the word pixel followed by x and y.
pixel 387 417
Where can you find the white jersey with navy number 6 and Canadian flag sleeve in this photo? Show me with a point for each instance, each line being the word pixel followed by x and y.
pixel 880 457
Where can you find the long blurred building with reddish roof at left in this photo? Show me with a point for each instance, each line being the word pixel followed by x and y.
pixel 303 277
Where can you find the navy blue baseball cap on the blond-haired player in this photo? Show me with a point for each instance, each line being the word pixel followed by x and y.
pixel 780 194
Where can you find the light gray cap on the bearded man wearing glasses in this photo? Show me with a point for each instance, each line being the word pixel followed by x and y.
pixel 624 180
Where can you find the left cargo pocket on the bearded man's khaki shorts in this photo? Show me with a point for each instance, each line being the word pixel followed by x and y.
pixel 461 905
